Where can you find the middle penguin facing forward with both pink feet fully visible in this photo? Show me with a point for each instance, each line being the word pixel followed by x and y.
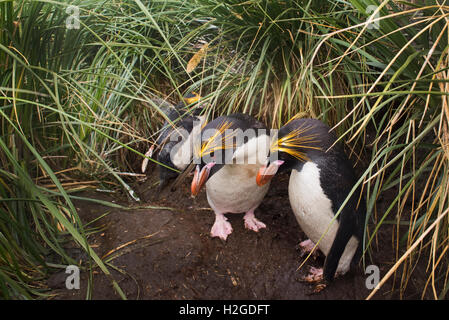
pixel 231 152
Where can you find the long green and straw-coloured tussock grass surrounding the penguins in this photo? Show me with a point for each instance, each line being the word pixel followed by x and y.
pixel 81 105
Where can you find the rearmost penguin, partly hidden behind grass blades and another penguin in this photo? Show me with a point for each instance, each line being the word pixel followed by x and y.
pixel 176 137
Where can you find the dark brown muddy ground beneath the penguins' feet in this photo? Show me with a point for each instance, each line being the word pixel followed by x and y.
pixel 169 254
